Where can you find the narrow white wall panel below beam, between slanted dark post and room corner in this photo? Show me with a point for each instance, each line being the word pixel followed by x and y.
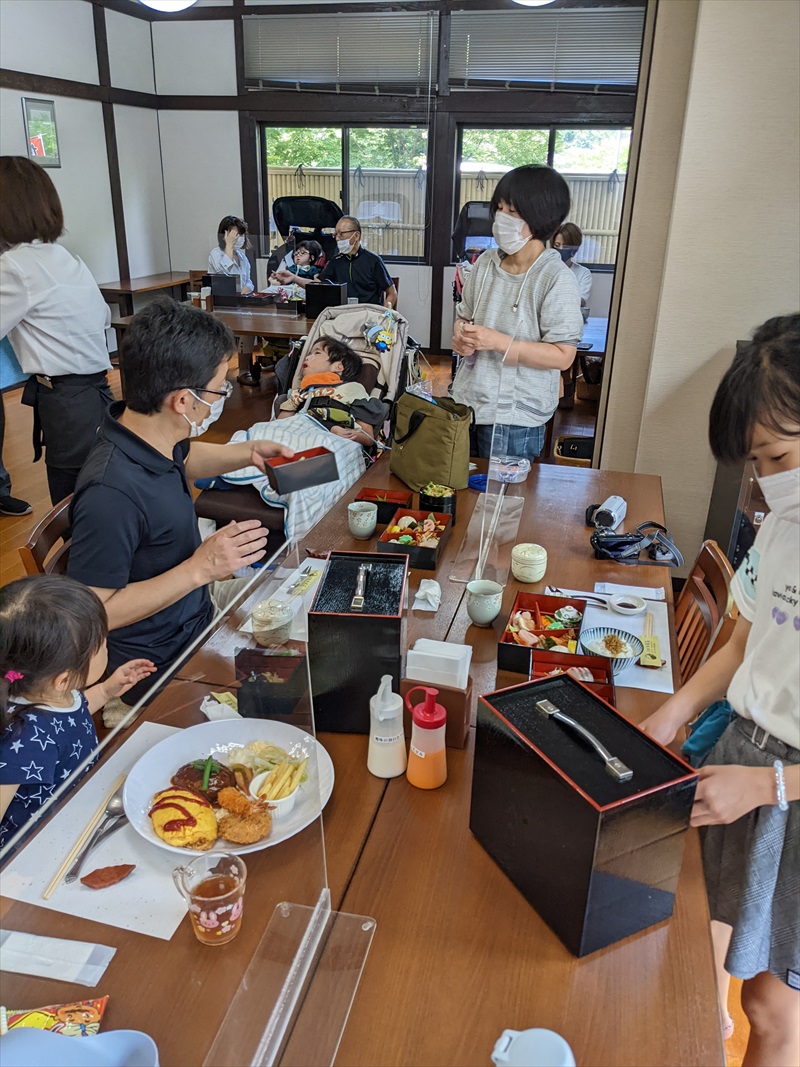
pixel 143 195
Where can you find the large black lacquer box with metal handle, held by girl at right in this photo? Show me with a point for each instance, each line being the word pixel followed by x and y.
pixel 598 858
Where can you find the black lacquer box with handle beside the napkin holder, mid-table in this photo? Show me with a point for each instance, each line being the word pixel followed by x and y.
pixel 349 652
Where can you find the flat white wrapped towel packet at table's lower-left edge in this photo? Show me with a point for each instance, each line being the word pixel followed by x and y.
pixel 54 958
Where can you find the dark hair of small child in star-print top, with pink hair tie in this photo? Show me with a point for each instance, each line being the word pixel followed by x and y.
pixel 50 625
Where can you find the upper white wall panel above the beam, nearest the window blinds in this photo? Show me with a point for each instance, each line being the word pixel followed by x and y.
pixel 195 58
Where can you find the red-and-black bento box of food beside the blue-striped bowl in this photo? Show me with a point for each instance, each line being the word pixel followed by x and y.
pixel 538 622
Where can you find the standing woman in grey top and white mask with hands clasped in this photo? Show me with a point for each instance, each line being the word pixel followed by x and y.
pixel 520 318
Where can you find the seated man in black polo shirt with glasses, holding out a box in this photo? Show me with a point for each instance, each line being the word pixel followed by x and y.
pixel 135 533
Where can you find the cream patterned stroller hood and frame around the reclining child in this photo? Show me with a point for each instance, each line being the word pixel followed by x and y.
pixel 380 337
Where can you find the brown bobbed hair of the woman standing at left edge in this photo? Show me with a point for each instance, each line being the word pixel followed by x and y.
pixel 30 210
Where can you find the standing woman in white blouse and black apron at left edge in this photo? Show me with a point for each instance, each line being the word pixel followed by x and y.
pixel 56 320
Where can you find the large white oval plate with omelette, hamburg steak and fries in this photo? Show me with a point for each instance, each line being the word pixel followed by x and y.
pixel 228 743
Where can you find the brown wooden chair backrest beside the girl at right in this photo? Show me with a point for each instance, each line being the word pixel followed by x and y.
pixel 702 609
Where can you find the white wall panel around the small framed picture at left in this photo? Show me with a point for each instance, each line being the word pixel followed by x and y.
pixel 83 181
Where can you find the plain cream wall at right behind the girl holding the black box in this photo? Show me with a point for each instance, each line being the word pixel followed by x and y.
pixel 750 209
